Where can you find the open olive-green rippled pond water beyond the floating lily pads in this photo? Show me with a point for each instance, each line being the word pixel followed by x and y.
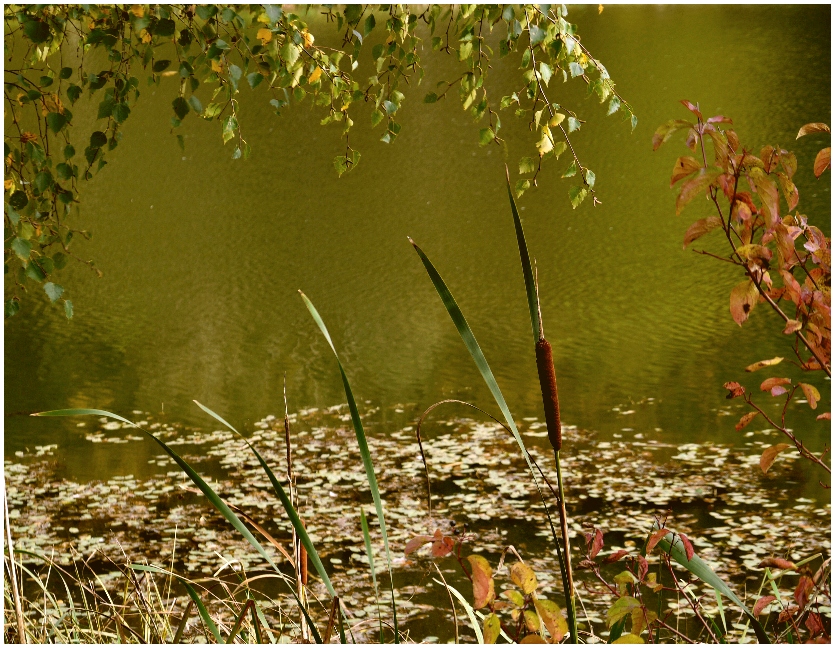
pixel 202 256
